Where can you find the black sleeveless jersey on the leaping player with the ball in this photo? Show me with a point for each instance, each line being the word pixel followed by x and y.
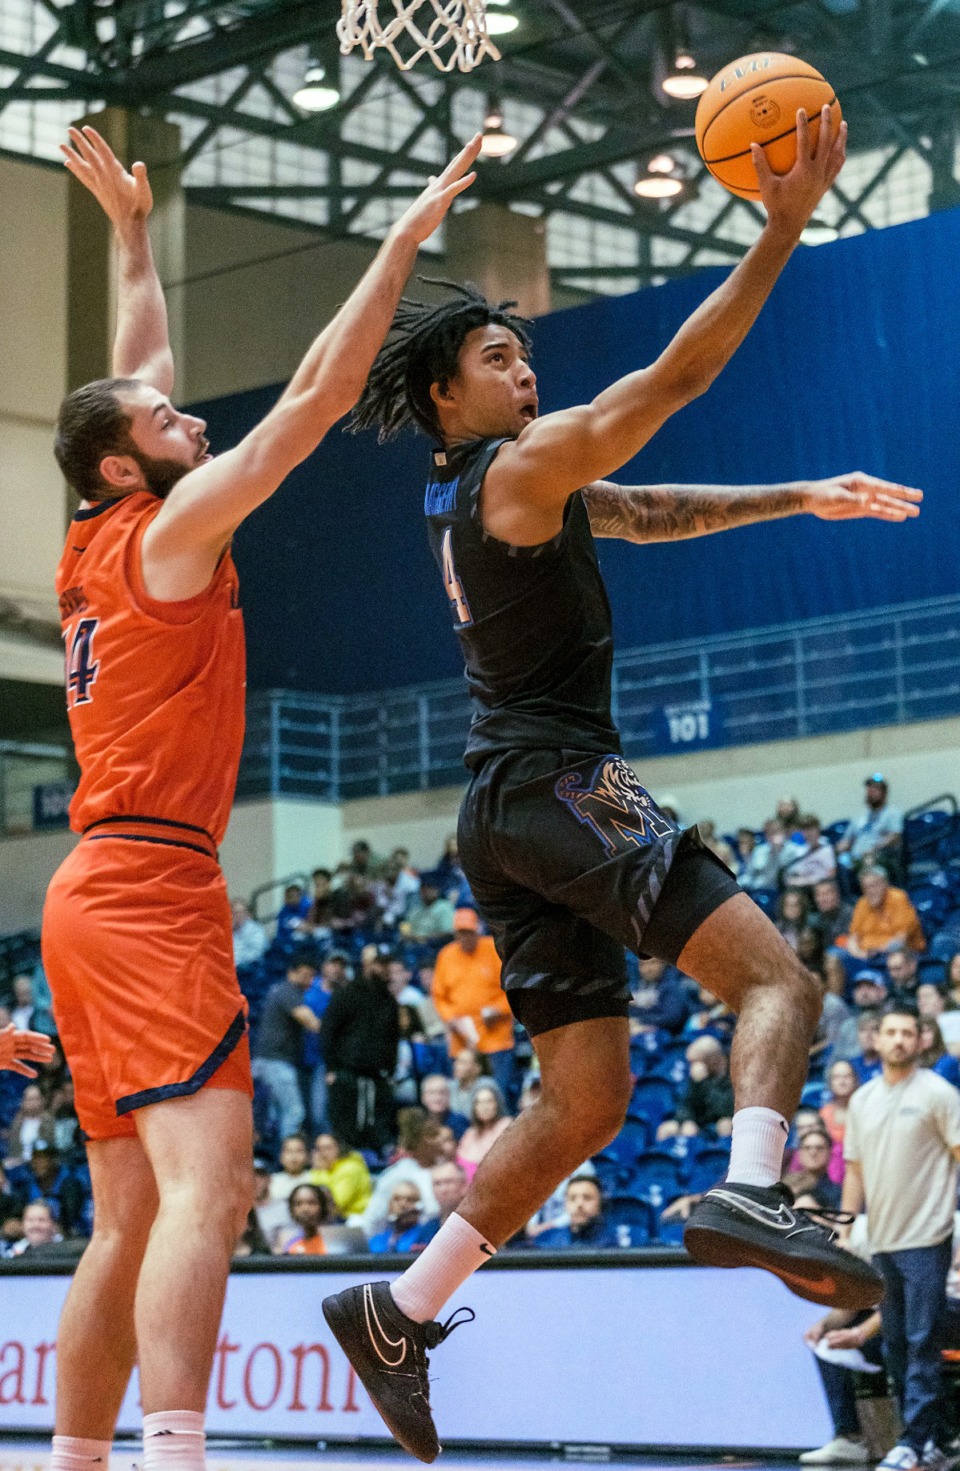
pixel 534 623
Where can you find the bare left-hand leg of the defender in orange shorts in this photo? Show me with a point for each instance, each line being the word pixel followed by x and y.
pixel 96 1339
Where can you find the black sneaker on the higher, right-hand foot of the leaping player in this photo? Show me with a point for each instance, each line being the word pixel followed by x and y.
pixel 749 1226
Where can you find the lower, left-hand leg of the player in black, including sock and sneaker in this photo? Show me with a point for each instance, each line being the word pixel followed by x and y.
pixel 586 1088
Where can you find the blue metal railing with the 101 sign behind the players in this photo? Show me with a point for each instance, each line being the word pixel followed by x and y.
pixel 884 667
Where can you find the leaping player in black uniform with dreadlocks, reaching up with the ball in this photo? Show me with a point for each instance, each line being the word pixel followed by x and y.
pixel 568 857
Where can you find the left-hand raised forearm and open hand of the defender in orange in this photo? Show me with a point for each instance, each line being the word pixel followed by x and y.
pixel 142 346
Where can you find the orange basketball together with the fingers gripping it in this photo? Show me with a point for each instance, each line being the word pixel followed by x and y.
pixel 764 115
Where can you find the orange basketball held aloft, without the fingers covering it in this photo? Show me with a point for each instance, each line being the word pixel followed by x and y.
pixel 756 101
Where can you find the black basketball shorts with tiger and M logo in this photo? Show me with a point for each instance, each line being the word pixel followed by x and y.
pixel 571 863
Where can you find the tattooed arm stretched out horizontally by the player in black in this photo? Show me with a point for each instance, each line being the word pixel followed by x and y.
pixel 680 513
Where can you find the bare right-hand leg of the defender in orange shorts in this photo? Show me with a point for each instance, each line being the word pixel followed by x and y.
pixel 201 1150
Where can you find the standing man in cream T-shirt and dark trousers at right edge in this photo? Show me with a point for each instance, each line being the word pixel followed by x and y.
pixel 902 1150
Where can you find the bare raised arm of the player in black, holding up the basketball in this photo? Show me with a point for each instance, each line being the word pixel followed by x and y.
pixel 562 452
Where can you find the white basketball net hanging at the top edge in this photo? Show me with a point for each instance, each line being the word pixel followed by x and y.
pixel 452 33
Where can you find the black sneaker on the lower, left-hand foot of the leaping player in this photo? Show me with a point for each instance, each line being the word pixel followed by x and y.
pixel 389 1353
